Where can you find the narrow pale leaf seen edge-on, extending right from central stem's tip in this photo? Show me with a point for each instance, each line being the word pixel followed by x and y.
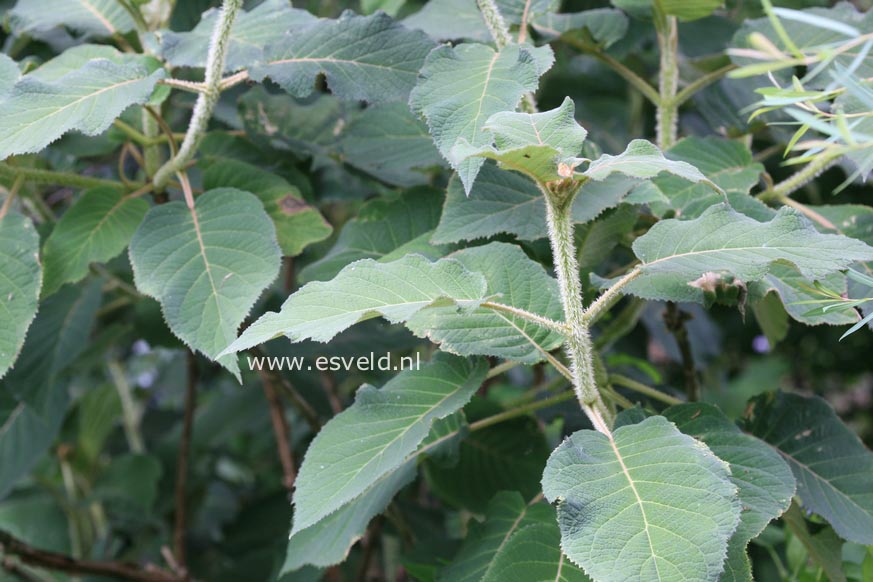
pixel 642 160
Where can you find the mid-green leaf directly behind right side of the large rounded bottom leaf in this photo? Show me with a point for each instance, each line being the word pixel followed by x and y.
pixel 764 481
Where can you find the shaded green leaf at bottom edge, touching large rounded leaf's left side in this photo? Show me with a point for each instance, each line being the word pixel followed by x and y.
pixel 534 554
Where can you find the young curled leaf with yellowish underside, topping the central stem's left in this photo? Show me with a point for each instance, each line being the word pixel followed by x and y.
pixel 534 144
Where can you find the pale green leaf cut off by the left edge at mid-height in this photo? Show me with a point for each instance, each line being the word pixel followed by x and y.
pixel 19 286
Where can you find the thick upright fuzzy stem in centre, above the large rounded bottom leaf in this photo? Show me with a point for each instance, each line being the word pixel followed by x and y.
pixel 578 343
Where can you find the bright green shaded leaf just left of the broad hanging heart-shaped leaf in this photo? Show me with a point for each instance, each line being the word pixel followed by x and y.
pixel 96 228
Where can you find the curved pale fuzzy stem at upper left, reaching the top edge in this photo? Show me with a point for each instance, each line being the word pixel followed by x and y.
pixel 205 101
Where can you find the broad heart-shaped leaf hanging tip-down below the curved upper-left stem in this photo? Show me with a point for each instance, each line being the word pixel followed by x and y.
pixel 206 266
